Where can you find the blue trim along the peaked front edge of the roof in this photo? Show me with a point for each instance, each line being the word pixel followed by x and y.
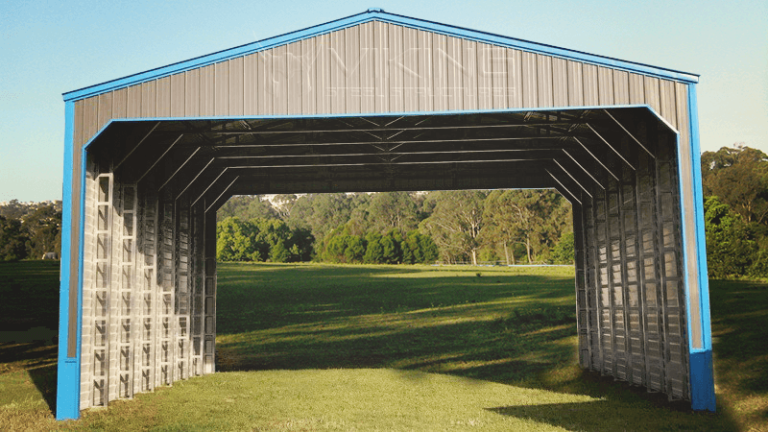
pixel 376 14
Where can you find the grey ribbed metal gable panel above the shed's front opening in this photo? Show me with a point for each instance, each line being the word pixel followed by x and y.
pixel 379 67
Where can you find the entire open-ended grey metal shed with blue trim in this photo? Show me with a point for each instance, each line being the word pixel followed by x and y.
pixel 376 102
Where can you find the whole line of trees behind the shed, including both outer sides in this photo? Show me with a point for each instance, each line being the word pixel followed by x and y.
pixel 499 226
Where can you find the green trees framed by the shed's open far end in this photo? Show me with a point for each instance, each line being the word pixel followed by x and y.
pixel 500 226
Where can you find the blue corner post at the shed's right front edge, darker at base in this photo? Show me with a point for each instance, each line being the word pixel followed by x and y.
pixel 702 373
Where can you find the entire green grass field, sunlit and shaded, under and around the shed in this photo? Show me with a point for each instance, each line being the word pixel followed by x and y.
pixel 389 348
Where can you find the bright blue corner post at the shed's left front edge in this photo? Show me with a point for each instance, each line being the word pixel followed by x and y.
pixel 68 386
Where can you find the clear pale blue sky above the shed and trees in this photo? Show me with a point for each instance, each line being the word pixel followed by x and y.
pixel 50 47
